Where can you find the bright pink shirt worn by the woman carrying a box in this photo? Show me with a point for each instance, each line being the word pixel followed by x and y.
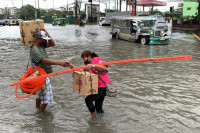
pixel 104 76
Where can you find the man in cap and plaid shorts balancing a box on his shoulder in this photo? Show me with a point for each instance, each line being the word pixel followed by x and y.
pixel 39 56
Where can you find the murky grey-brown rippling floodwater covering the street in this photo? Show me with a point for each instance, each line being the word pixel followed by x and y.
pixel 153 97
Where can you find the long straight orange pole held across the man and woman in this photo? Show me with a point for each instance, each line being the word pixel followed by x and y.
pixel 43 76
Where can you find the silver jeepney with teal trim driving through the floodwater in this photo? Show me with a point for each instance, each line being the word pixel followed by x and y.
pixel 144 29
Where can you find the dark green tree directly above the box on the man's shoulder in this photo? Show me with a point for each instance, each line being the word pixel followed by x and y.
pixel 27 12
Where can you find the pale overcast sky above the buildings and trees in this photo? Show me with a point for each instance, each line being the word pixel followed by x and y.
pixel 60 3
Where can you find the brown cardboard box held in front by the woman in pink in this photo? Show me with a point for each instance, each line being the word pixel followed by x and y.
pixel 85 83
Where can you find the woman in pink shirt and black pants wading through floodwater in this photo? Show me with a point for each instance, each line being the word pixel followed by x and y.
pixel 91 60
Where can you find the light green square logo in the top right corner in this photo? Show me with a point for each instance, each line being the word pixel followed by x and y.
pixel 190 8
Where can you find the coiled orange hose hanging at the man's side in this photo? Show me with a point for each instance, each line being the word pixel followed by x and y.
pixel 33 85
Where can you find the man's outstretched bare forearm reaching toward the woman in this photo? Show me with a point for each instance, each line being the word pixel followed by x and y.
pixel 53 62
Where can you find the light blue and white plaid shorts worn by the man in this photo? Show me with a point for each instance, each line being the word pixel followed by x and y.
pixel 46 95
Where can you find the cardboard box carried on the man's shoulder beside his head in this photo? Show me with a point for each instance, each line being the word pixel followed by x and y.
pixel 28 29
